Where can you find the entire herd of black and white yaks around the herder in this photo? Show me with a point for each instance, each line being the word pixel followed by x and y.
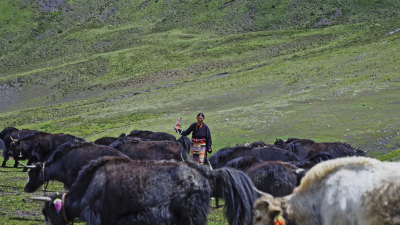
pixel 145 177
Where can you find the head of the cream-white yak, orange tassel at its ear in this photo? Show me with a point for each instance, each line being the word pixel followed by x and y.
pixel 268 211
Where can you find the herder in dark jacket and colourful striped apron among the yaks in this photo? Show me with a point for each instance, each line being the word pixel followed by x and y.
pixel 201 139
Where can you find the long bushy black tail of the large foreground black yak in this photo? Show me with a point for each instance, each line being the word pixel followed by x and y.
pixel 236 188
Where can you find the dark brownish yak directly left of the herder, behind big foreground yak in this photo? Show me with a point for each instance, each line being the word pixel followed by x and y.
pixel 150 150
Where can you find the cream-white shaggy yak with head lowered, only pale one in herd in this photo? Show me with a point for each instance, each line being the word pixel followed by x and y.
pixel 352 190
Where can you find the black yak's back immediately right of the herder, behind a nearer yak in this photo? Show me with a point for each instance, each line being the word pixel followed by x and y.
pixel 266 153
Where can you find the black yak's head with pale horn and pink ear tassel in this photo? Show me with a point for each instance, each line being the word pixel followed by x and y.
pixel 52 209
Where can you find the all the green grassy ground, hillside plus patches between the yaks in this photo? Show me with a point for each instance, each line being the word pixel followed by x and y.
pixel 258 70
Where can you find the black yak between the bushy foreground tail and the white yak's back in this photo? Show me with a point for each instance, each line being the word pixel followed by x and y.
pixel 273 177
